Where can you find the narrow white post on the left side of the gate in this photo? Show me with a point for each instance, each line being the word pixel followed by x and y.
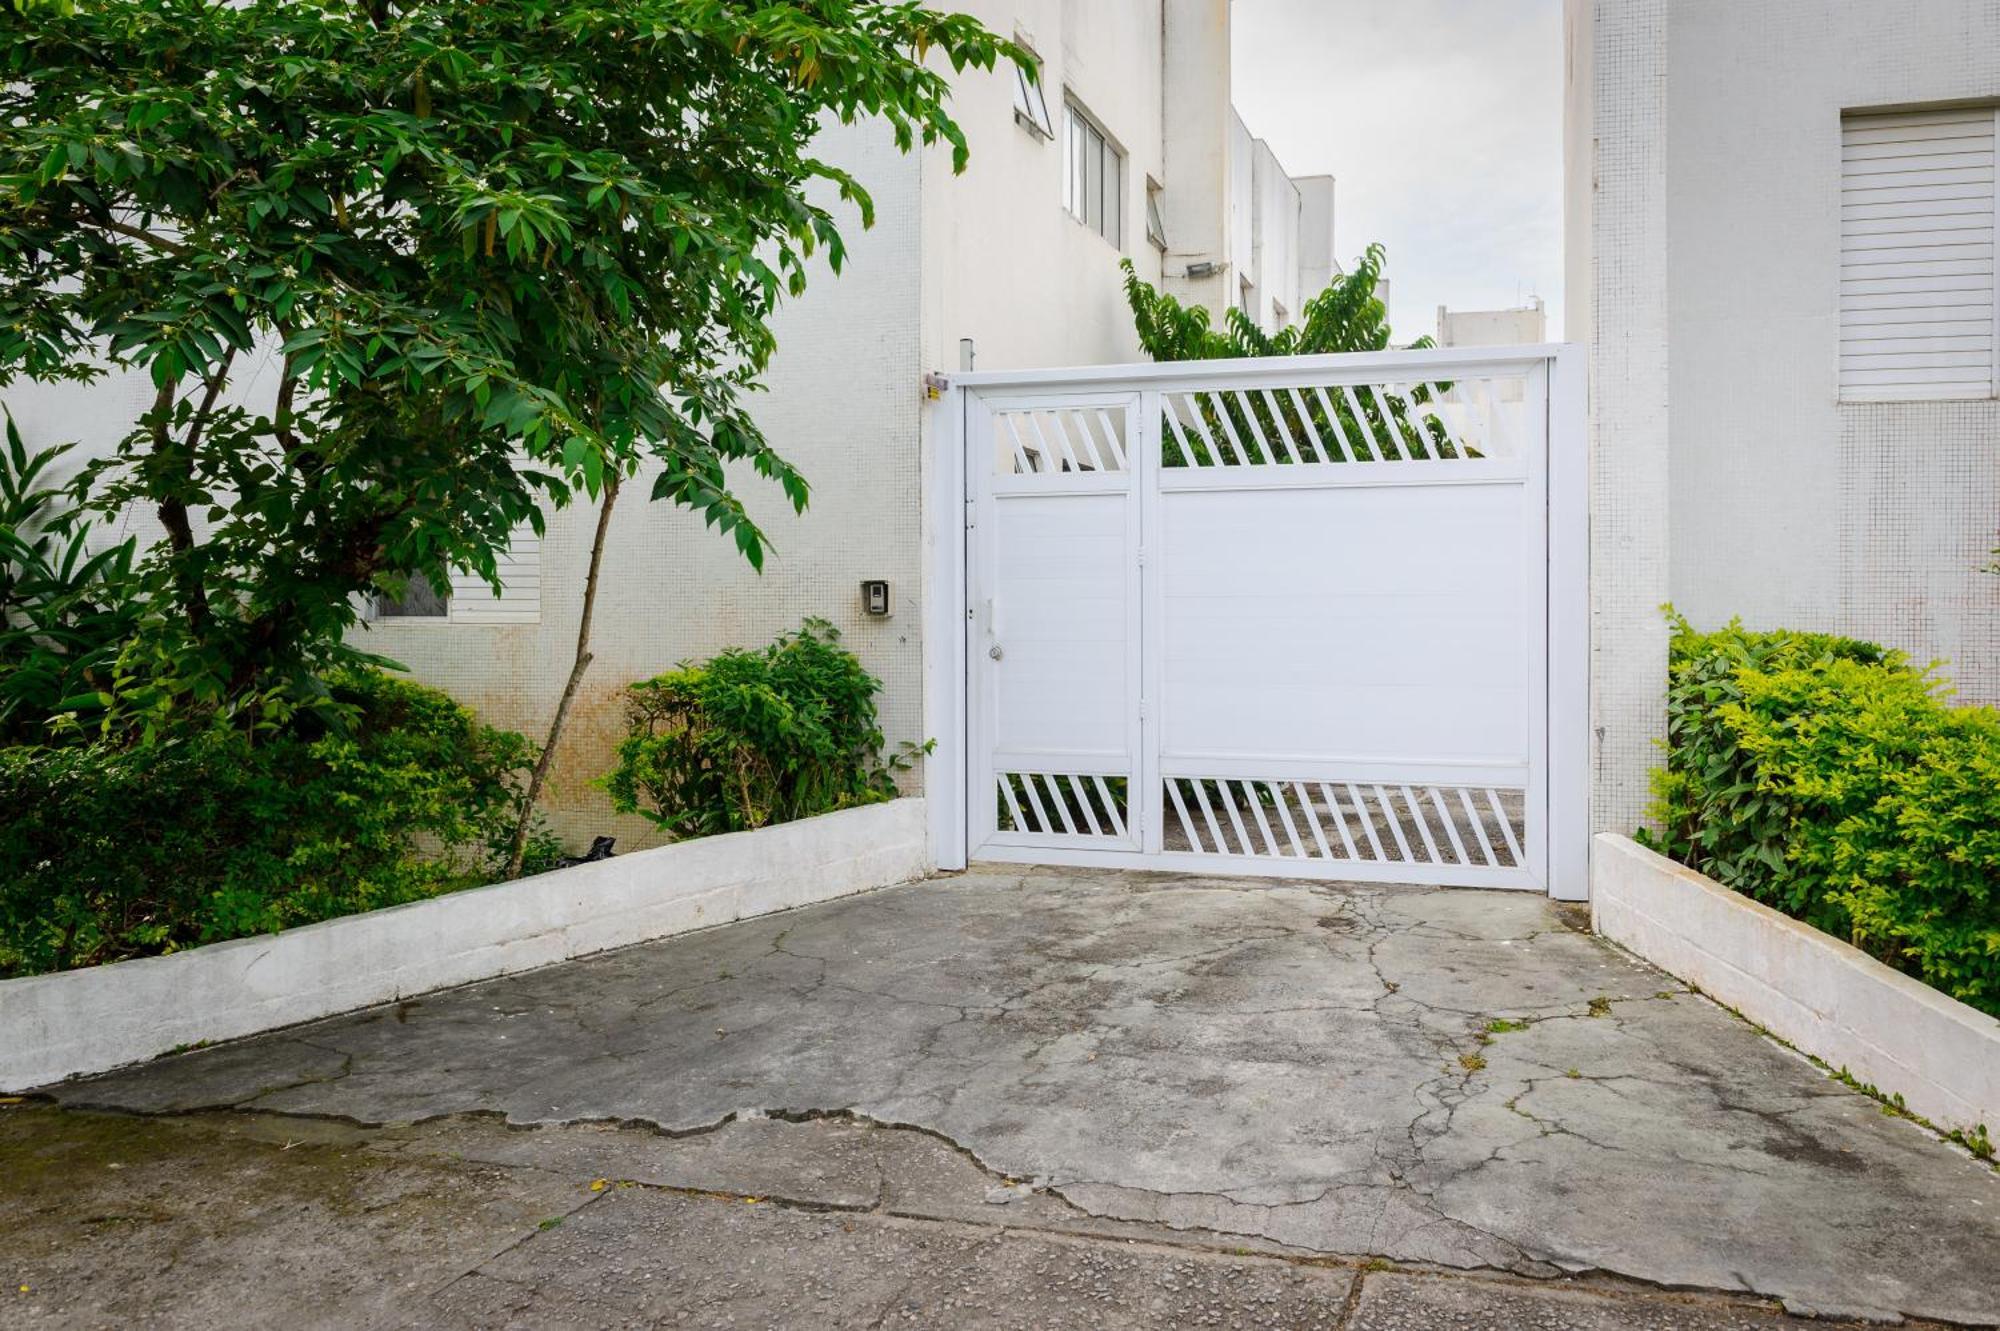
pixel 947 507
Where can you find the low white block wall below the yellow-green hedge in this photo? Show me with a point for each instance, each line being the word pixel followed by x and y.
pixel 1813 990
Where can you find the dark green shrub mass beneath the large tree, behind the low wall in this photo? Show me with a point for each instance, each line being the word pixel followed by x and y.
pixel 115 852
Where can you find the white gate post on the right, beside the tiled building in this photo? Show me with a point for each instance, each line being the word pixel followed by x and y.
pixel 1569 627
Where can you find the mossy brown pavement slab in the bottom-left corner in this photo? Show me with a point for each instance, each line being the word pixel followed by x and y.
pixel 121 1222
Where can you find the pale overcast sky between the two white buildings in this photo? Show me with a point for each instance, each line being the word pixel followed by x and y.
pixel 1443 127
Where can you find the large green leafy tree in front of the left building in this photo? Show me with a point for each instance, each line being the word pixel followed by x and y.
pixel 407 271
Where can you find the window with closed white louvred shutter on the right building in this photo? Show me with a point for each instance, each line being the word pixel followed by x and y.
pixel 1919 219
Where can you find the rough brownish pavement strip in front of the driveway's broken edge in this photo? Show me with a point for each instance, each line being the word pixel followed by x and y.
pixel 229 1220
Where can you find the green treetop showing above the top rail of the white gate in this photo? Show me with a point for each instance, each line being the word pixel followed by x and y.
pixel 1347 317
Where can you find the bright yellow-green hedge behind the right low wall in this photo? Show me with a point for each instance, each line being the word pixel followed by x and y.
pixel 1831 780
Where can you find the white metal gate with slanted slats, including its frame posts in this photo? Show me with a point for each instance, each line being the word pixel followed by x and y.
pixel 1299 617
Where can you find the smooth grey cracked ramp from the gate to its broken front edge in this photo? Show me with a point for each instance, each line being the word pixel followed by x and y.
pixel 1449 1078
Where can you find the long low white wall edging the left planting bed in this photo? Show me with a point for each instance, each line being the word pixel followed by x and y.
pixel 83 1022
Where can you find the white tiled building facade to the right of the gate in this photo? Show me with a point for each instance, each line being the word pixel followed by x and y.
pixel 1781 255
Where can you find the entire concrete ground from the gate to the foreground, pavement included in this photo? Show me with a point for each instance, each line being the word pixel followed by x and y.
pixel 1007 1098
